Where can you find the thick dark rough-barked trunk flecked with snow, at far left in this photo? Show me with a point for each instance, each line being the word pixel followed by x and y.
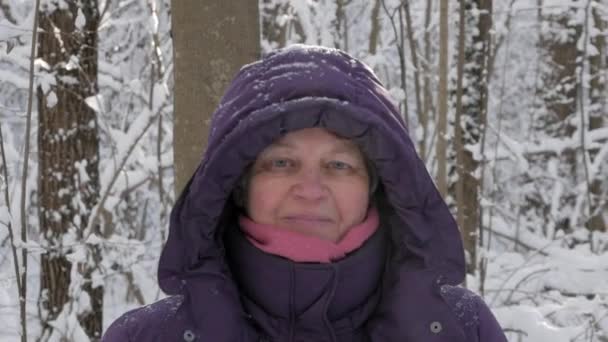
pixel 68 158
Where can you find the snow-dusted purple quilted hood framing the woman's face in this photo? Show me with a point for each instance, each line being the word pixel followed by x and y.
pixel 295 88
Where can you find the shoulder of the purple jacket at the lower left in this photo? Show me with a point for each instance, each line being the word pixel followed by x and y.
pixel 159 321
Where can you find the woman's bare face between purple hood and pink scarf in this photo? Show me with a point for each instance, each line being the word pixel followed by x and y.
pixel 310 181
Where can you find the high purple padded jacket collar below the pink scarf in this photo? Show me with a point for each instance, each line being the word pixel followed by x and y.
pixel 289 298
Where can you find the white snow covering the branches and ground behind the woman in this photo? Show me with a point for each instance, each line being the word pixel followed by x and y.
pixel 543 282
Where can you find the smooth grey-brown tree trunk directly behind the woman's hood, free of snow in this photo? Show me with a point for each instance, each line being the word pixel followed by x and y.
pixel 212 40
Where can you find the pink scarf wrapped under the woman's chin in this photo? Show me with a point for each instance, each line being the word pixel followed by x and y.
pixel 305 248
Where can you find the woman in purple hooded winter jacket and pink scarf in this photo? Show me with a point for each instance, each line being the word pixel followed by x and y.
pixel 310 218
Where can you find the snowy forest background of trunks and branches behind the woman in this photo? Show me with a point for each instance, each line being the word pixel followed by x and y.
pixel 506 101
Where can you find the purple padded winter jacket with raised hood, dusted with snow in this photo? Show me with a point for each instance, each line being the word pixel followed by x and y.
pixel 401 285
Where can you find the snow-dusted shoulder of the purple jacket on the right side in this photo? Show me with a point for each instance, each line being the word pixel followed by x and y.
pixel 473 313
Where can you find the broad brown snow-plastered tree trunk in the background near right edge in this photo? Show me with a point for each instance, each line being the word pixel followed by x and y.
pixel 558 52
